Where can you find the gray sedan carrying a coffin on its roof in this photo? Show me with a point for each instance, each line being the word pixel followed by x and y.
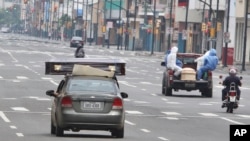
pixel 88 103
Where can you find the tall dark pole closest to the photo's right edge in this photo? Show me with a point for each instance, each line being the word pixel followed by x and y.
pixel 245 36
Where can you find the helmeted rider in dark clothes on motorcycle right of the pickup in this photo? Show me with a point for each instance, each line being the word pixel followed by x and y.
pixel 227 81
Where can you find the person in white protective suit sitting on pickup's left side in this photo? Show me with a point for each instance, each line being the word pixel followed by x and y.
pixel 171 59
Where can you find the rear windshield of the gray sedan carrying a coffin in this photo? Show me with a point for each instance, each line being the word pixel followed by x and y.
pixel 78 85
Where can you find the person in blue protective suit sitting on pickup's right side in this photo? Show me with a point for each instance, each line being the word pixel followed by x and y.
pixel 210 63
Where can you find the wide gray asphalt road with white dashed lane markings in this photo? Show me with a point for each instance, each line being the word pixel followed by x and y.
pixel 150 116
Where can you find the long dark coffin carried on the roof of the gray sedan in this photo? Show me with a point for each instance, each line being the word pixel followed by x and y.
pixel 66 66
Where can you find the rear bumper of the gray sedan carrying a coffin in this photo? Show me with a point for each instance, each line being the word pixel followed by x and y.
pixel 91 121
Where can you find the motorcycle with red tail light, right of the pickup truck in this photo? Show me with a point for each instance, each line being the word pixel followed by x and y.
pixel 231 101
